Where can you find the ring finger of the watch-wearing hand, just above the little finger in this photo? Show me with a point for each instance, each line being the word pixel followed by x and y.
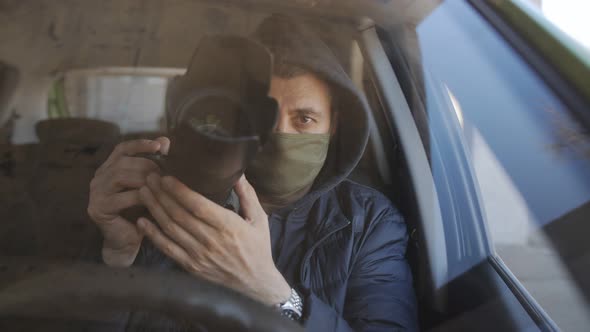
pixel 174 231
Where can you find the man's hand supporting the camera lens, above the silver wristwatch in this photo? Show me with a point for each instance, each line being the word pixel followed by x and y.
pixel 213 242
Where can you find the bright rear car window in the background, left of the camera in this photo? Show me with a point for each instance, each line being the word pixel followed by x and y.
pixel 130 97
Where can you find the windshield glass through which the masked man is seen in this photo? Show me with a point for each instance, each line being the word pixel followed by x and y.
pixel 109 98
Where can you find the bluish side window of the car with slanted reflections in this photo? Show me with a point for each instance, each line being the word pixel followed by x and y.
pixel 525 153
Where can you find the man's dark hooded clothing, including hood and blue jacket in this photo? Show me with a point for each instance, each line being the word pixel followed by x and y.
pixel 342 245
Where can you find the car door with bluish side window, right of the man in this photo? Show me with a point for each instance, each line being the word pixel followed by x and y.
pixel 500 107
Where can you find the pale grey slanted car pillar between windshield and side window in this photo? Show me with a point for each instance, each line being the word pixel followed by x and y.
pixel 397 112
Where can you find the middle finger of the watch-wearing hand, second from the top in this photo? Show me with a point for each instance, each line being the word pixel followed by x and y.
pixel 197 228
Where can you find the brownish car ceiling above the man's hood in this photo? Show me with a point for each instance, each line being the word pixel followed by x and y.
pixel 57 35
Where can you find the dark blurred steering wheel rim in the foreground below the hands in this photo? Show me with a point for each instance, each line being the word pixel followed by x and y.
pixel 90 291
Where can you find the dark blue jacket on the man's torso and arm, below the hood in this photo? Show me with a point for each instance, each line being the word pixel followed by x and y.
pixel 354 275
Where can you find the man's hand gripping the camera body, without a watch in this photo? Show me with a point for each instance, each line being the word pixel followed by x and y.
pixel 115 187
